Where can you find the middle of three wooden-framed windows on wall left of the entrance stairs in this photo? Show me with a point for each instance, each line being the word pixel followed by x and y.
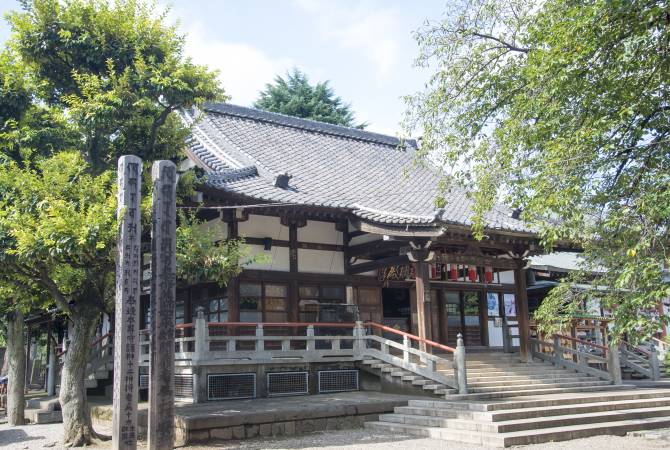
pixel 260 302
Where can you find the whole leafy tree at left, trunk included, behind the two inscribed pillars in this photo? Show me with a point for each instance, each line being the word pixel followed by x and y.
pixel 89 81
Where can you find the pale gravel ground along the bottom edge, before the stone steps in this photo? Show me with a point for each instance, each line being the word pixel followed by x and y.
pixel 33 437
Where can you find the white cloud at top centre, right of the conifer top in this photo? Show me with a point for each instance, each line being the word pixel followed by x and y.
pixel 367 28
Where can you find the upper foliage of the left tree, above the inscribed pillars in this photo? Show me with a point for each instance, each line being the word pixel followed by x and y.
pixel 117 69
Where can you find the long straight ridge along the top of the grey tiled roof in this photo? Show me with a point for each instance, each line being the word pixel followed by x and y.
pixel 307 124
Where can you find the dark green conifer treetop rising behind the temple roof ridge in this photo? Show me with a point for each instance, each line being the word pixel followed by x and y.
pixel 294 96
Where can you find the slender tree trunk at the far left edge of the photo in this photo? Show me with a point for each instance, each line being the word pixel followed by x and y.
pixel 16 383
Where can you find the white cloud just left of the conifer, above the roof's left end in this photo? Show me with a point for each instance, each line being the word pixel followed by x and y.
pixel 243 69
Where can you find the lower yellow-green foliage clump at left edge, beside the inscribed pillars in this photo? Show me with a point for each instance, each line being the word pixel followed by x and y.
pixel 59 227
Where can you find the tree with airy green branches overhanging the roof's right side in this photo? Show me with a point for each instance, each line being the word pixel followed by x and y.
pixel 561 109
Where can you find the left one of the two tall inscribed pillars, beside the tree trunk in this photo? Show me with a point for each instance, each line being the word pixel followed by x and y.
pixel 128 276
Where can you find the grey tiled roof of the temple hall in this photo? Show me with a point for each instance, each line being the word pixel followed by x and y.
pixel 276 158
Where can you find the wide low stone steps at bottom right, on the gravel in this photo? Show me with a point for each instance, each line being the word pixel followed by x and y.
pixel 531 419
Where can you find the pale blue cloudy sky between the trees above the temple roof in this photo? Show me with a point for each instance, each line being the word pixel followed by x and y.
pixel 365 48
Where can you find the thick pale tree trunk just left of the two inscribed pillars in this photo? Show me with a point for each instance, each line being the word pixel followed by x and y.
pixel 77 426
